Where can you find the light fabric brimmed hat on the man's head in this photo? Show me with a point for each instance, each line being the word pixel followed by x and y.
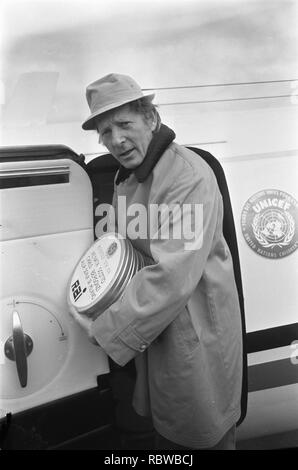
pixel 110 92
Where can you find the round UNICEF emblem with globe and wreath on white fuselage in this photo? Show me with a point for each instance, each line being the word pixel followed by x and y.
pixel 269 223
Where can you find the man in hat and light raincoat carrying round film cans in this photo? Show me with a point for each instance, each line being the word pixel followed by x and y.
pixel 179 317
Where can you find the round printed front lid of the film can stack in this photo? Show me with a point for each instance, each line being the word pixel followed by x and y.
pixel 95 272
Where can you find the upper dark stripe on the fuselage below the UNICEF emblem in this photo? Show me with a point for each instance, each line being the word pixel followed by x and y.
pixel 271 338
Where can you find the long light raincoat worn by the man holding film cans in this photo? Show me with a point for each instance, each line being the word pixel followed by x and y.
pixel 180 317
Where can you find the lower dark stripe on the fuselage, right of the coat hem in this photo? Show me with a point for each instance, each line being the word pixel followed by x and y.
pixel 272 374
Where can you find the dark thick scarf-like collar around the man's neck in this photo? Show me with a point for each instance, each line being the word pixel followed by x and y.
pixel 160 141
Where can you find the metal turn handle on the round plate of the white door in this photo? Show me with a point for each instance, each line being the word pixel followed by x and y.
pixel 18 347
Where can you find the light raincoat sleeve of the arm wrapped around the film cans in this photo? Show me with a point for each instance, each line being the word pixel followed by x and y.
pixel 157 293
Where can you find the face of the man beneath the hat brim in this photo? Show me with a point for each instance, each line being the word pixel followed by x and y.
pixel 126 134
